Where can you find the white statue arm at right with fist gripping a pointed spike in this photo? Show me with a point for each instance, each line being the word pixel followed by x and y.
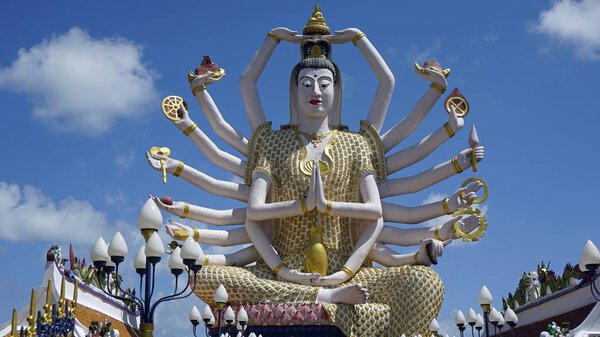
pixel 429 177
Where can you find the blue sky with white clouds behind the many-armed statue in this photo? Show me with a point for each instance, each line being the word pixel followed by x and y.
pixel 75 128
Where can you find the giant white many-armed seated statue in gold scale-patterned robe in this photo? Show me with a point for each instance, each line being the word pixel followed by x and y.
pixel 313 190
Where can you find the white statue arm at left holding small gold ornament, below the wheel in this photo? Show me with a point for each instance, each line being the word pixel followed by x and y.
pixel 209 184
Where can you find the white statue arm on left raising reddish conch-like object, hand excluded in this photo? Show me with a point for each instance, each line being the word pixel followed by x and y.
pixel 222 128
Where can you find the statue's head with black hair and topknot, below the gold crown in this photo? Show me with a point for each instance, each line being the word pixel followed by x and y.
pixel 315 85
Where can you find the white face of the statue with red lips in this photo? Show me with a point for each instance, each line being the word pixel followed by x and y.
pixel 315 94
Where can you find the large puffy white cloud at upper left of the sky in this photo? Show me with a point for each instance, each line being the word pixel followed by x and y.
pixel 81 84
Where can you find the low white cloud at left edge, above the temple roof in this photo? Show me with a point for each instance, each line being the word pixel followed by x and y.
pixel 26 214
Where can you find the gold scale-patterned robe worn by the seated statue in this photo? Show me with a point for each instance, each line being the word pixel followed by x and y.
pixel 401 299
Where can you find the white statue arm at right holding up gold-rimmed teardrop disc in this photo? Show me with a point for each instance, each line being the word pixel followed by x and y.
pixel 422 149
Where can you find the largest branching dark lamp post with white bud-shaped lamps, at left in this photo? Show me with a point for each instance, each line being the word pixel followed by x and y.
pixel 107 259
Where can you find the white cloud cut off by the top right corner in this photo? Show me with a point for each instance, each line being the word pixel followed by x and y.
pixel 575 23
